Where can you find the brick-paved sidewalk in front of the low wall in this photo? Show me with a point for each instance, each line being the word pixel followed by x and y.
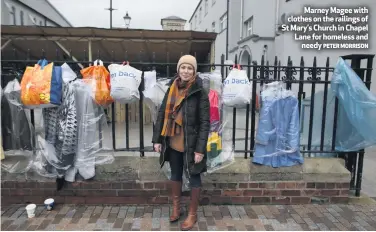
pixel 260 217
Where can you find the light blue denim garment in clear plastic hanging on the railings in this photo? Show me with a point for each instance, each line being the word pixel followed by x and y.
pixel 278 132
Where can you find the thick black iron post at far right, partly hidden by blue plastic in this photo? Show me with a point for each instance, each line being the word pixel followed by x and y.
pixel 356 61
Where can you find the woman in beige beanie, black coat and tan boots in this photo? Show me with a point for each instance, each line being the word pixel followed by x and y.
pixel 181 133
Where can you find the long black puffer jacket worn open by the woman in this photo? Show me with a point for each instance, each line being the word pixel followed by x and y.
pixel 196 126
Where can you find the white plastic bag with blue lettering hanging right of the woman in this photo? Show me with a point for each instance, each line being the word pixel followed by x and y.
pixel 237 89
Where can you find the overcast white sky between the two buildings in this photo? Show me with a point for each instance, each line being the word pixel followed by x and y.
pixel 145 14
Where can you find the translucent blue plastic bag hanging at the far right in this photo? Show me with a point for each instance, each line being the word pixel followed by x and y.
pixel 356 127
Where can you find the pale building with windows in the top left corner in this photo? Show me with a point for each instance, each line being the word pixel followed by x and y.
pixel 31 13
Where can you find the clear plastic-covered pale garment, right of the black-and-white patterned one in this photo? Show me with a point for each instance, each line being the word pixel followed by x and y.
pixel 94 146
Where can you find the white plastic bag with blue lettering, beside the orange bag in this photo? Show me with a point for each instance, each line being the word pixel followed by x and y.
pixel 125 81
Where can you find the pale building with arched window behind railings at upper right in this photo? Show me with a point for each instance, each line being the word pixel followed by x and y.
pixel 253 29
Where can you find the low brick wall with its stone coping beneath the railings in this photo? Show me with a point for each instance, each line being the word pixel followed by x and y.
pixel 317 181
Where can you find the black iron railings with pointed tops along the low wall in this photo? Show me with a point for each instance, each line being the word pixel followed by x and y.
pixel 305 80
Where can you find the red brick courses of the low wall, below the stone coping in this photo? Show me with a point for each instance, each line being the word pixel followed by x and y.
pixel 158 193
